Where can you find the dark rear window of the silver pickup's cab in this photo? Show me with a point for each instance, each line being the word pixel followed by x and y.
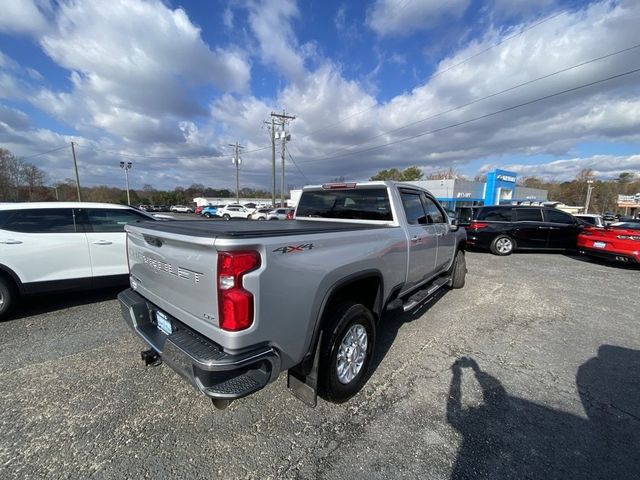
pixel 351 204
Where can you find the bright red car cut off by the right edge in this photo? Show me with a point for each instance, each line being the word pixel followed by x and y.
pixel 619 242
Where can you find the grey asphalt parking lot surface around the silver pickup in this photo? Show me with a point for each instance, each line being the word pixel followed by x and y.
pixel 530 371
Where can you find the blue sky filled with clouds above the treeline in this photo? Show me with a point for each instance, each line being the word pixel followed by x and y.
pixel 388 83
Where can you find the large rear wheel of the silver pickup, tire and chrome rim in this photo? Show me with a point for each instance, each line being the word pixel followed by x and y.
pixel 346 352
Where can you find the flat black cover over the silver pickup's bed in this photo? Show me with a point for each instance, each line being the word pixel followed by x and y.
pixel 252 228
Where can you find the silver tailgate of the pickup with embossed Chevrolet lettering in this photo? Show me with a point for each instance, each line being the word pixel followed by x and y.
pixel 175 272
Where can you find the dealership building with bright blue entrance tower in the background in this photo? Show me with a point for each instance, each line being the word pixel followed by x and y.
pixel 499 189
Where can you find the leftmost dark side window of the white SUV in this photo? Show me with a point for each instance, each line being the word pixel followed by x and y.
pixel 43 220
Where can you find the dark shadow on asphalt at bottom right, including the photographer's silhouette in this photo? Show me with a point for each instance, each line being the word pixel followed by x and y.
pixel 510 437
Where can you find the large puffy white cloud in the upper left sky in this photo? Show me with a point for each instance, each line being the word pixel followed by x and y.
pixel 134 66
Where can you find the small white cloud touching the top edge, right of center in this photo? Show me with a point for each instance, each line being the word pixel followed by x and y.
pixel 403 17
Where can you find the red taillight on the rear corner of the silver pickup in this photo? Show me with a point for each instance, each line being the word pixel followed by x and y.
pixel 235 304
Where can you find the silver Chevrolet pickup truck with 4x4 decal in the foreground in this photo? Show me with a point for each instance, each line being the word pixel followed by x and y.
pixel 231 305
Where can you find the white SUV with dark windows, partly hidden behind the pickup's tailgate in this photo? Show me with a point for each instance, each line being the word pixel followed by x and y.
pixel 54 246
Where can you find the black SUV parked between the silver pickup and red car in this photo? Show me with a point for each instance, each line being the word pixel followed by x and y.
pixel 504 229
